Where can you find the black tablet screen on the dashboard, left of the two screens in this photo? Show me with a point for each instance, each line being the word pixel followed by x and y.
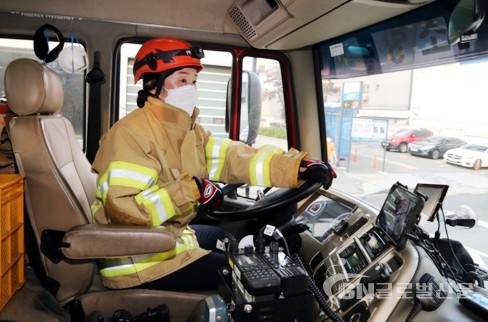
pixel 400 211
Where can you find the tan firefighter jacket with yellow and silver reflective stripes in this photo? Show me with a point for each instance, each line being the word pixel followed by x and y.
pixel 145 166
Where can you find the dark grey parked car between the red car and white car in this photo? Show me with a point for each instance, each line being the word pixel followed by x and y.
pixel 434 146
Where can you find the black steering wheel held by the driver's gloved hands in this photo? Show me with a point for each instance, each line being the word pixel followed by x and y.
pixel 275 201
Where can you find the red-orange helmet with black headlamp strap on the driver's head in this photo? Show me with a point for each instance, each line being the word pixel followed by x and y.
pixel 160 54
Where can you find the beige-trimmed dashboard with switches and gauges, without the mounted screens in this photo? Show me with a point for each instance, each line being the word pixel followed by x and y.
pixel 358 269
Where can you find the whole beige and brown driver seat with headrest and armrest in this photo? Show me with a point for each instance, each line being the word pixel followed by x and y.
pixel 59 189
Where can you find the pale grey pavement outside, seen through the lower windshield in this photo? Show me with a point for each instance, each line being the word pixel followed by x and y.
pixel 370 172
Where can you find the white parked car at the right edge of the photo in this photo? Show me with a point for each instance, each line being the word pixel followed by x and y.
pixel 470 155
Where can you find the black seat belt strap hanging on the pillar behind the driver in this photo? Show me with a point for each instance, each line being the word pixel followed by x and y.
pixel 95 78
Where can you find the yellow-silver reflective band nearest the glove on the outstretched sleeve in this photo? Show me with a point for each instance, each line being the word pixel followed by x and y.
pixel 260 164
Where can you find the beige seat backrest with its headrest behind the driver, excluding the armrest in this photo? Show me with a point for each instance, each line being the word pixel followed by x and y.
pixel 59 184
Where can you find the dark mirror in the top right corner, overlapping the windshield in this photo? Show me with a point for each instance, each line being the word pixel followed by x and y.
pixel 464 20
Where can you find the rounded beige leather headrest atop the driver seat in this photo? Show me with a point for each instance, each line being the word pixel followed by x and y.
pixel 32 88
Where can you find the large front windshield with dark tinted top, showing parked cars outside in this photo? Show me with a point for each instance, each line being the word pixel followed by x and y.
pixel 399 78
